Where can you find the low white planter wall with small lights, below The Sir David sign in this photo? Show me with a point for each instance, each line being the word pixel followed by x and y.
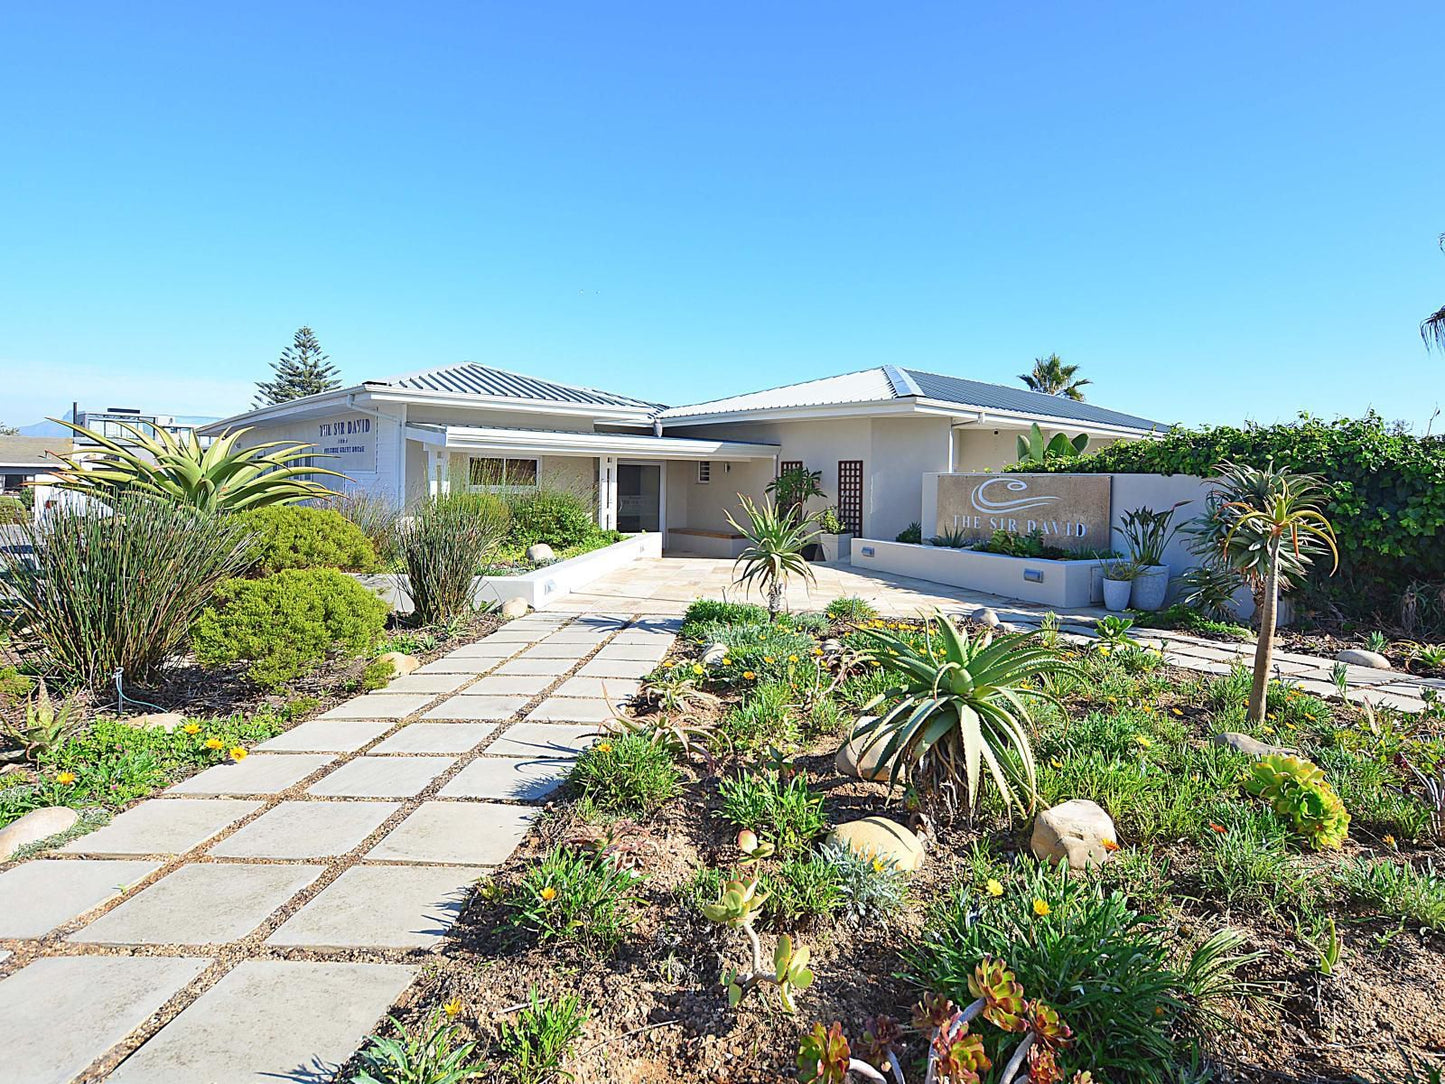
pixel 1051 583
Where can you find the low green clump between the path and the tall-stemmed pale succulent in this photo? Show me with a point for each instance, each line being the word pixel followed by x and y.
pixel 577 900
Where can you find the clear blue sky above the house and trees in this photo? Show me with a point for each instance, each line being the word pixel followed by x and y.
pixel 1219 213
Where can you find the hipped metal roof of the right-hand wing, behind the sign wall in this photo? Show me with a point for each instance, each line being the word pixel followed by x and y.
pixel 894 385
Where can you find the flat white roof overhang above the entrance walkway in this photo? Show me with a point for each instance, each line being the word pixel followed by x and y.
pixel 498 442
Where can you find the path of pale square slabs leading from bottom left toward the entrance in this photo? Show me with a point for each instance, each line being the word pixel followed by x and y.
pixel 256 921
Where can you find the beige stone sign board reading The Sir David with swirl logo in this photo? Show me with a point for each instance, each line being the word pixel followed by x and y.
pixel 1070 511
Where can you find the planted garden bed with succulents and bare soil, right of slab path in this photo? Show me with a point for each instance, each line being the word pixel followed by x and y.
pixel 1343 949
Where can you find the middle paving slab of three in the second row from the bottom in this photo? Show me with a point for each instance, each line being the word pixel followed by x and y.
pixel 200 906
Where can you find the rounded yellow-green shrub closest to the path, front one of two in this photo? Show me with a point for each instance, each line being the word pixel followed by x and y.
pixel 284 625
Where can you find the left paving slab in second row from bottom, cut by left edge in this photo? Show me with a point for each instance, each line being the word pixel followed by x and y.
pixel 37 897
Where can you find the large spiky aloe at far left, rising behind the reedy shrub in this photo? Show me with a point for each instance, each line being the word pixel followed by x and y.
pixel 216 479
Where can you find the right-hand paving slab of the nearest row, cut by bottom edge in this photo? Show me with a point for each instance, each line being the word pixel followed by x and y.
pixel 271 1021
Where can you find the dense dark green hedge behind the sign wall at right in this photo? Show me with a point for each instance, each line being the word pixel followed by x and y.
pixel 1389 507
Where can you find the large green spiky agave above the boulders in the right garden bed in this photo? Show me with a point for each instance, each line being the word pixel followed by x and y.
pixel 960 705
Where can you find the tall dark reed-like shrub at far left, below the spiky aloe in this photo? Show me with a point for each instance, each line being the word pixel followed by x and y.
pixel 118 589
